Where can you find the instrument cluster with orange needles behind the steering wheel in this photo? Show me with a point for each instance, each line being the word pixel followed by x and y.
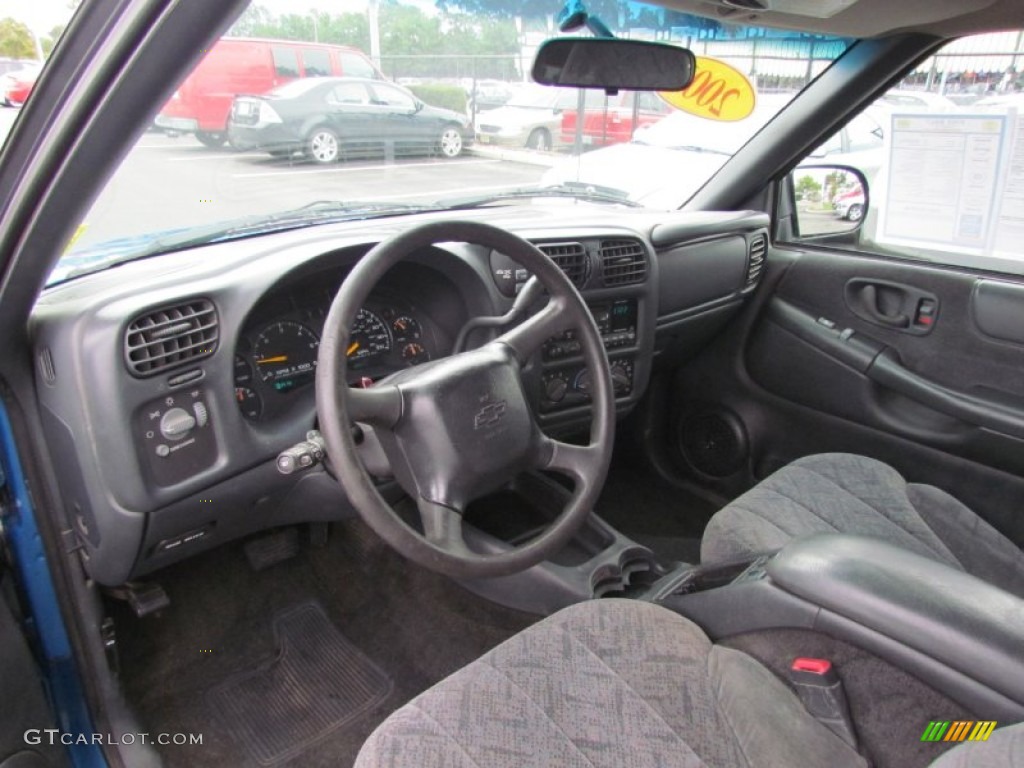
pixel 277 354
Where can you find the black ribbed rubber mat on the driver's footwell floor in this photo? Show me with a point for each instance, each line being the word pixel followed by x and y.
pixel 318 682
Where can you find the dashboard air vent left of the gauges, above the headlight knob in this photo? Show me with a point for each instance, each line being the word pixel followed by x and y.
pixel 164 338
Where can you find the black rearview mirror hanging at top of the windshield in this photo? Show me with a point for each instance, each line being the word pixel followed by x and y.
pixel 614 65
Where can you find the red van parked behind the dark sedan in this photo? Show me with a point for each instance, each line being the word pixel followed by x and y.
pixel 236 66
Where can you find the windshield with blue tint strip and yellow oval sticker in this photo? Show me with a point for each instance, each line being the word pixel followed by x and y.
pixel 412 120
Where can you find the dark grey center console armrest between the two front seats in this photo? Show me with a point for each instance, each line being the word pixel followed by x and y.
pixel 960 634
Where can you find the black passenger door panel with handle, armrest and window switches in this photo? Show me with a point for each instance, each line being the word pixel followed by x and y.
pixel 818 364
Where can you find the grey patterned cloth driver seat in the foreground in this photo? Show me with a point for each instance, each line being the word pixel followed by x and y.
pixel 623 684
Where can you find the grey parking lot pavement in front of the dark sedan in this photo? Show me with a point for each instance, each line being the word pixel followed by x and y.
pixel 204 186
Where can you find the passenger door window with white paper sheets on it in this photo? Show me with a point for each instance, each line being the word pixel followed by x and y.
pixel 944 155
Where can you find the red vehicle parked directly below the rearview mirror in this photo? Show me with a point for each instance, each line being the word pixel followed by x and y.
pixel 613 119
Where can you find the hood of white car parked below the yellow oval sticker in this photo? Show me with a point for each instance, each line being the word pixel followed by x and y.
pixel 654 177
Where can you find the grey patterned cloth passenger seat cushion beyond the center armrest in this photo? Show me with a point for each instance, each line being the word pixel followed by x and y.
pixel 848 494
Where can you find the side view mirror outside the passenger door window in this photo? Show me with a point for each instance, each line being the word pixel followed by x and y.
pixel 831 201
